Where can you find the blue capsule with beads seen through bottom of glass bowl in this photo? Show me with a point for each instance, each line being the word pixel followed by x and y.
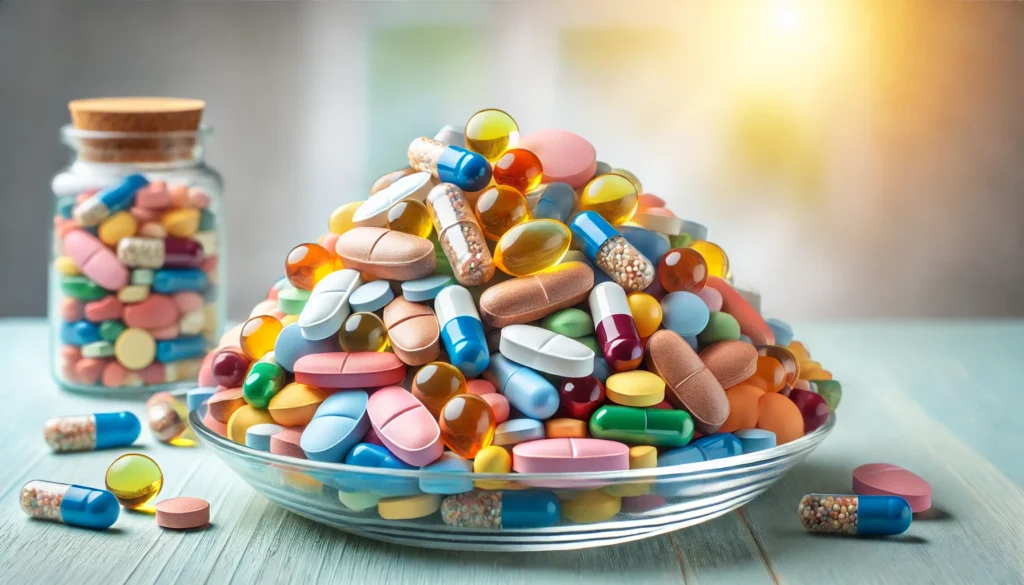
pixel 501 510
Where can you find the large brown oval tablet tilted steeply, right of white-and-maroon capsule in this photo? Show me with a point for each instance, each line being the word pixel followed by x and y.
pixel 691 386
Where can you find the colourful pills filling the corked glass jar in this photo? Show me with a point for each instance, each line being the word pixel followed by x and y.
pixel 137 265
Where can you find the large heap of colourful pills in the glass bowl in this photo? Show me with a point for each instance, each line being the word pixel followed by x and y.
pixel 509 304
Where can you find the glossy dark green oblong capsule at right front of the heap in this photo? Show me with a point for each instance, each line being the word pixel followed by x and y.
pixel 660 428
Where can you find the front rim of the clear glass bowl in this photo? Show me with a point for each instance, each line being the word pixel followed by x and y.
pixel 687 471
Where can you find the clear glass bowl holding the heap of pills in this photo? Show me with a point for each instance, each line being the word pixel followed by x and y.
pixel 673 497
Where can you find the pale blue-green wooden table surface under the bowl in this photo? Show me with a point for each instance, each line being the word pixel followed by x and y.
pixel 941 399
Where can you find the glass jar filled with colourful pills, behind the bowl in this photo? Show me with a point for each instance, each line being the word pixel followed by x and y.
pixel 138 258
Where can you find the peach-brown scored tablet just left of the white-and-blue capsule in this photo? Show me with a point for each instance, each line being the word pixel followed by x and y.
pixel 414 331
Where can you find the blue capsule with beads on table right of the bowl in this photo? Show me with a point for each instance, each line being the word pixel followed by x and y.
pixel 855 516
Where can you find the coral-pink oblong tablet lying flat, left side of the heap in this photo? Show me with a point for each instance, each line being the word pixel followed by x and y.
pixel 342 370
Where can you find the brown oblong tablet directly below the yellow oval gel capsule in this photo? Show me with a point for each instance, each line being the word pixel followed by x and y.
pixel 525 300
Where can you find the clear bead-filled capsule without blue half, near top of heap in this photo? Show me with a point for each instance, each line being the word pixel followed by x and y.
pixel 460 236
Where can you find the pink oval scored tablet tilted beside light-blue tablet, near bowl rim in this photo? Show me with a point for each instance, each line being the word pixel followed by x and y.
pixel 405 427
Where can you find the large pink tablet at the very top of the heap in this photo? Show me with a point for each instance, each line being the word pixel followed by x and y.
pixel 566 157
